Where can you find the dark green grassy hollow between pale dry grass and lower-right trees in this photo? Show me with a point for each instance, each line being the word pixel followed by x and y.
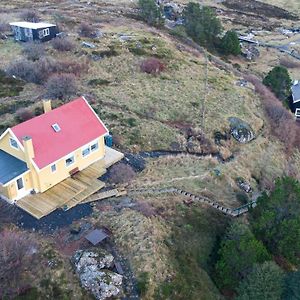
pixel 196 233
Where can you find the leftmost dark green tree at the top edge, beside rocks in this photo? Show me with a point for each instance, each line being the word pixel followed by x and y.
pixel 151 12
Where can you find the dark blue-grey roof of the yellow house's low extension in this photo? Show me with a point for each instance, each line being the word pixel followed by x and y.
pixel 10 167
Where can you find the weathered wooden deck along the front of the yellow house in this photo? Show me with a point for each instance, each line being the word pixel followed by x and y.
pixel 71 191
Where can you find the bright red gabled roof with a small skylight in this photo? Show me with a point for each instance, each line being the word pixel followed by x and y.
pixel 78 123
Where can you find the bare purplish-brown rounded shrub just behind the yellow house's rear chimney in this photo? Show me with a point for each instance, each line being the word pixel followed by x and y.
pixel 61 86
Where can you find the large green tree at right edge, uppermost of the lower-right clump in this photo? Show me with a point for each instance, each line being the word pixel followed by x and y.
pixel 276 221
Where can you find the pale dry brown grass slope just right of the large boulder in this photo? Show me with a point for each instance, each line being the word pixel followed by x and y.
pixel 141 239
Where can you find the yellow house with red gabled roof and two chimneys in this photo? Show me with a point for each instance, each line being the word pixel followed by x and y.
pixel 42 152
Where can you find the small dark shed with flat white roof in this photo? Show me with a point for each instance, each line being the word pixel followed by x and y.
pixel 28 31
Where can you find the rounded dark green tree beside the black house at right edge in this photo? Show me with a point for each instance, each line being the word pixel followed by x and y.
pixel 279 81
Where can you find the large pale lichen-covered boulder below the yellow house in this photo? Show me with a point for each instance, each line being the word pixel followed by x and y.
pixel 91 265
